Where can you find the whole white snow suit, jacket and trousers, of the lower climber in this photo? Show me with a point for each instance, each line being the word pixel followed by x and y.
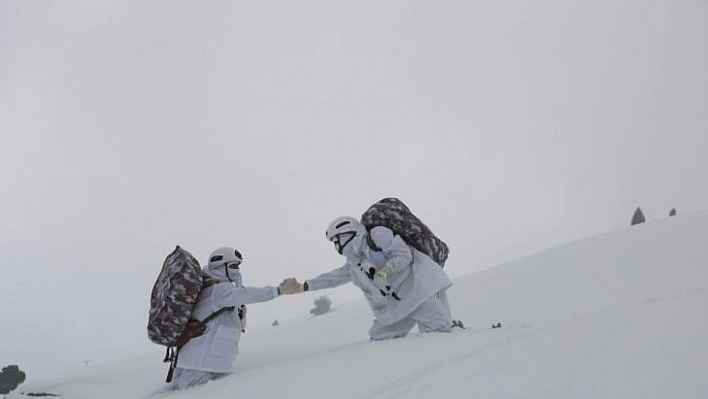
pixel 211 355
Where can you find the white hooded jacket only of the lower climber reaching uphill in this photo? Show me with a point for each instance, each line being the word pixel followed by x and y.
pixel 216 350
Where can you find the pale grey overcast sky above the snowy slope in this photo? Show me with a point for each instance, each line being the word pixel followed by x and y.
pixel 128 127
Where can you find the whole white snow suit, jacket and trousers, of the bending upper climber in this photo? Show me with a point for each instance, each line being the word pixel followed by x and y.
pixel 419 282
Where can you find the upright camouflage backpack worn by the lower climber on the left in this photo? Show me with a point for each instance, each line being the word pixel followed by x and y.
pixel 173 297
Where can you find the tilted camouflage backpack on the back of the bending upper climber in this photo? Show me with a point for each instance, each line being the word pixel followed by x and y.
pixel 394 214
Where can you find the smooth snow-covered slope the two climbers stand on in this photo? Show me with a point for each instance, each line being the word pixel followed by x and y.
pixel 615 316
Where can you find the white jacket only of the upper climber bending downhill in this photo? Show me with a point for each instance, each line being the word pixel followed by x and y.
pixel 415 276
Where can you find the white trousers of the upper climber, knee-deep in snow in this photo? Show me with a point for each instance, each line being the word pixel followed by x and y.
pixel 432 316
